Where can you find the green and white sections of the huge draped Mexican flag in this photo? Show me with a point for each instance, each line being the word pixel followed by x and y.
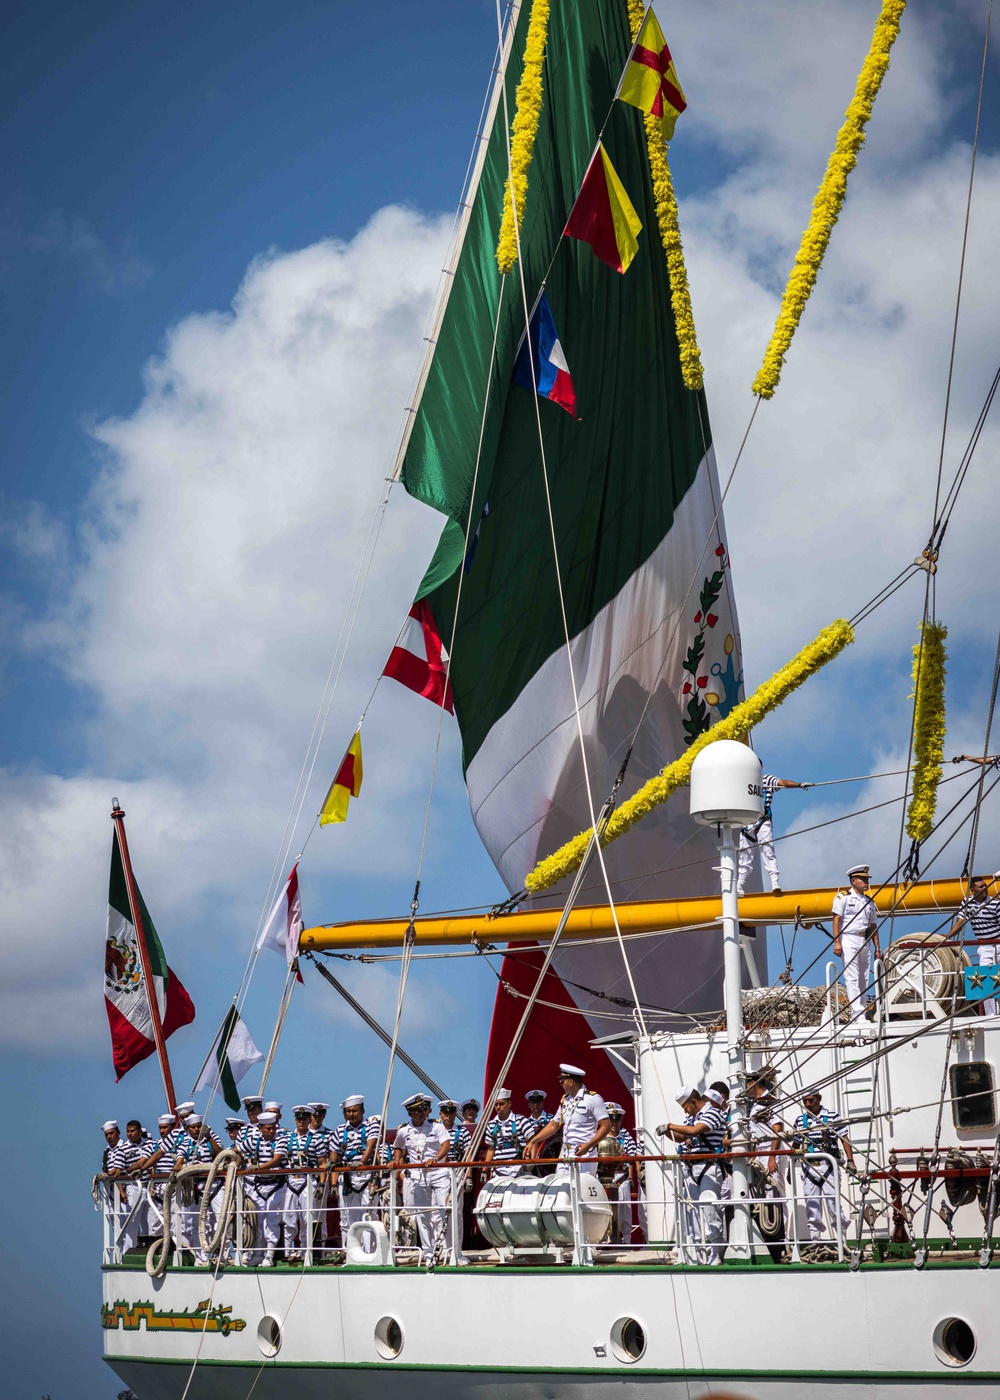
pixel 635 510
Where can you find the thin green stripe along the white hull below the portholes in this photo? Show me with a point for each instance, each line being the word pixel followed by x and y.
pixel 576 1371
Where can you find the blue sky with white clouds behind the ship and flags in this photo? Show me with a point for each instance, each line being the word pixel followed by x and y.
pixel 187 187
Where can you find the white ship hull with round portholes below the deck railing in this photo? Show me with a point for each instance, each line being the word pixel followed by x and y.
pixel 757 1333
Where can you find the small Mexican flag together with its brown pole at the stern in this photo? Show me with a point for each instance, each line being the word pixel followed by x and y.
pixel 134 962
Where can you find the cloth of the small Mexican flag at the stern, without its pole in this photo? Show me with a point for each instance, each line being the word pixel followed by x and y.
pixel 124 986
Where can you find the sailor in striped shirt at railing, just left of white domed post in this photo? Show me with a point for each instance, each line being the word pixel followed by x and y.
pixel 702 1132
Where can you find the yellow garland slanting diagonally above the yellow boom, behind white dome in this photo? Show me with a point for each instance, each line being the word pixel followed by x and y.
pixel 736 726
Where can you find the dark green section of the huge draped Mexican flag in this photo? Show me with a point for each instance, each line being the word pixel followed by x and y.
pixel 618 477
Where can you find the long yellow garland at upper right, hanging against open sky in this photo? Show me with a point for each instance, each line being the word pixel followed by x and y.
pixel 830 197
